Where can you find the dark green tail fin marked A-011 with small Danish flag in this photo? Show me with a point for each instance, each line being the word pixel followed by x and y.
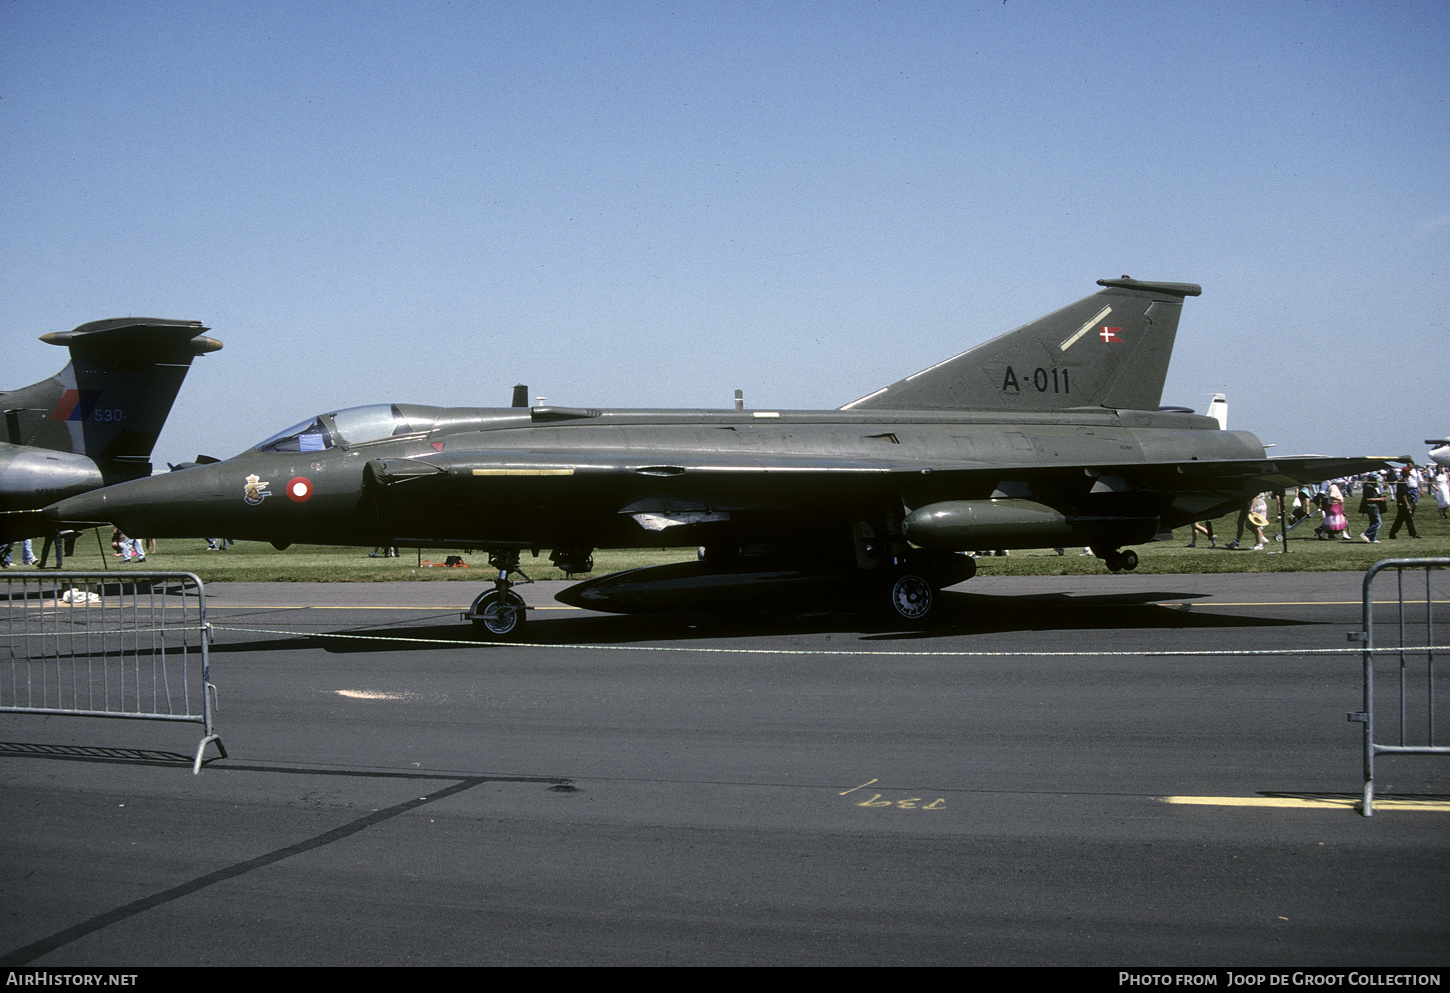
pixel 1109 350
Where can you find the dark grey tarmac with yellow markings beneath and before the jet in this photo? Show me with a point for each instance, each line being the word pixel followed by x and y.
pixel 823 789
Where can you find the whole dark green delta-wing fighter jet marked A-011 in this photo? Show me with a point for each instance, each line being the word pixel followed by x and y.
pixel 1049 436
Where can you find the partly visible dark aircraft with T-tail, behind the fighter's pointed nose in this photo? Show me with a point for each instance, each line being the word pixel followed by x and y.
pixel 96 421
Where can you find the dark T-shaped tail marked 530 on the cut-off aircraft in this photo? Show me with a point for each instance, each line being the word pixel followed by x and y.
pixel 114 396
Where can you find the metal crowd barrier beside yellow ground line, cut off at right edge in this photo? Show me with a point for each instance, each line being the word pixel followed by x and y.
pixel 1416 656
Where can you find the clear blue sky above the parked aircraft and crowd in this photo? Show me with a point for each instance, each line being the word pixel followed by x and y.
pixel 658 204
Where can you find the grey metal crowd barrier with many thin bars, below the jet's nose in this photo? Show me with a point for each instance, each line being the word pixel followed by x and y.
pixel 109 646
